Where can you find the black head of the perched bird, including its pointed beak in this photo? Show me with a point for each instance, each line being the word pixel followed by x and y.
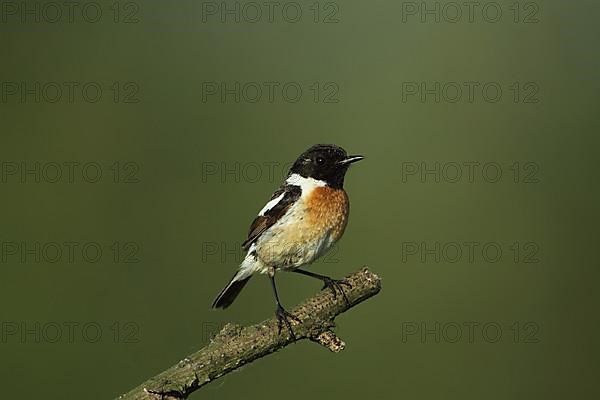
pixel 325 162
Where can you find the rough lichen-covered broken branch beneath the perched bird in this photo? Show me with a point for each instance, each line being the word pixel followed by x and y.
pixel 235 346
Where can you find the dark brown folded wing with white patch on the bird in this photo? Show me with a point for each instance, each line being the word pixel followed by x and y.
pixel 289 194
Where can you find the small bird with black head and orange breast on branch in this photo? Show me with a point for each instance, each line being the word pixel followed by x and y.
pixel 303 219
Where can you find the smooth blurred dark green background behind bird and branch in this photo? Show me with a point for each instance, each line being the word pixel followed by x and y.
pixel 185 223
